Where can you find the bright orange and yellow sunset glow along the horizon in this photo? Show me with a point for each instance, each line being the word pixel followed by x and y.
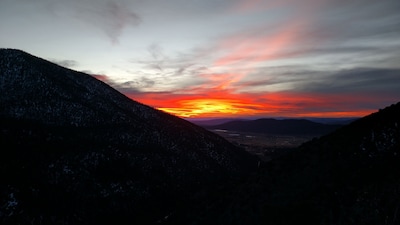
pixel 254 105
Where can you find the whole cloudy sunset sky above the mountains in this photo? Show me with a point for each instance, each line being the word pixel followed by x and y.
pixel 222 58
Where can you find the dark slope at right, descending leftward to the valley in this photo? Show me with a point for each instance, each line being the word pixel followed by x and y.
pixel 350 176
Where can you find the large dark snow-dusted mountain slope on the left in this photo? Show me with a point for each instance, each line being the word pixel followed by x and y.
pixel 76 151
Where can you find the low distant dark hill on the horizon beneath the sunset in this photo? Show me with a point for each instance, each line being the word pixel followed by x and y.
pixel 275 126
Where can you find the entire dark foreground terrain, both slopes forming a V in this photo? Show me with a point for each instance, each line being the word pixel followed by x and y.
pixel 75 151
